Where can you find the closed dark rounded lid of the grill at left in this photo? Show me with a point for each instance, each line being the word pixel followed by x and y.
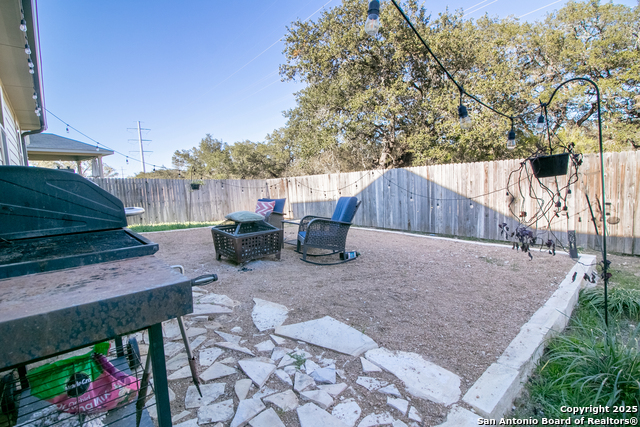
pixel 39 202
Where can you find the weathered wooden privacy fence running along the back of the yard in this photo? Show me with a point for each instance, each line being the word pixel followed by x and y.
pixel 465 200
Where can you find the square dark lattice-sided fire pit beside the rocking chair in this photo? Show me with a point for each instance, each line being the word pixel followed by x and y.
pixel 244 241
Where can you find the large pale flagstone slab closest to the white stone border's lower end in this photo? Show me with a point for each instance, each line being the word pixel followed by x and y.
pixel 421 378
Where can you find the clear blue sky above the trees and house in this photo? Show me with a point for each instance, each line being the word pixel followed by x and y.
pixel 184 69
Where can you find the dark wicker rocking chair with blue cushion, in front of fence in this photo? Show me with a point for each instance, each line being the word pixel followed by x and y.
pixel 327 233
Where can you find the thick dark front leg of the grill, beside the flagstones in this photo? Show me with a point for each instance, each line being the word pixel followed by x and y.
pixel 161 384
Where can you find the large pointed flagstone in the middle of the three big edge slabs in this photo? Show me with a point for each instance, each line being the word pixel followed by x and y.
pixel 329 333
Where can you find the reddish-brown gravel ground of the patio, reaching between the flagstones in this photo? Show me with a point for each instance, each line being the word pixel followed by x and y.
pixel 456 303
